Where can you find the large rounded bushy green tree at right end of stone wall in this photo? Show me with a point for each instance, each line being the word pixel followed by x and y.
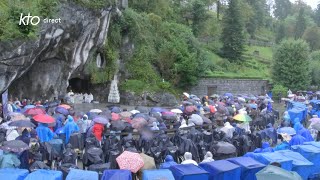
pixel 291 66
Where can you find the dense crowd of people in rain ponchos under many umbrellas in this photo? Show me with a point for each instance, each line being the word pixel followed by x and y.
pixel 194 132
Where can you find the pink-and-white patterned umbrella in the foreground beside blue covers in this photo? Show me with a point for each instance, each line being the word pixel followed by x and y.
pixel 130 161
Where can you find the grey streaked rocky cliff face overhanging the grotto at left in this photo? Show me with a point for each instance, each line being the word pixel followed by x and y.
pixel 41 68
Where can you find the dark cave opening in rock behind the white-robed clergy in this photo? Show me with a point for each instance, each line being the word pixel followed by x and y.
pixel 78 85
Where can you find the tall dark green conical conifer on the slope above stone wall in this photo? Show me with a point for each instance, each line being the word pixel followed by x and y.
pixel 232 35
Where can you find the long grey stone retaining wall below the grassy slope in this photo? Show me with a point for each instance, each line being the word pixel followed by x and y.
pixel 209 86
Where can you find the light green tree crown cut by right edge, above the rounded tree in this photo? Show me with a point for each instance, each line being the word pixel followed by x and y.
pixel 312 36
